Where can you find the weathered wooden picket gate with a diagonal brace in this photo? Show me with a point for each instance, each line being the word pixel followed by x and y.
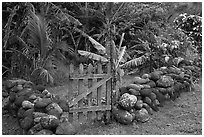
pixel 89 92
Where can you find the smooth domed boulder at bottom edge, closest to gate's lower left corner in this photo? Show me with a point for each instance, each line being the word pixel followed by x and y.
pixel 66 128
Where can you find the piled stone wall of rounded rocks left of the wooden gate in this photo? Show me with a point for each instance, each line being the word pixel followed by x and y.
pixel 39 112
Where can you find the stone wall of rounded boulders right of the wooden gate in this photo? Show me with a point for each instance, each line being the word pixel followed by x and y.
pixel 138 100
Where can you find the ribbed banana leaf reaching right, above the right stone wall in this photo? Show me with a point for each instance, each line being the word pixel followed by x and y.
pixel 135 62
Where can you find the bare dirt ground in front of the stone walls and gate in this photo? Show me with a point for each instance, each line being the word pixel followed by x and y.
pixel 180 117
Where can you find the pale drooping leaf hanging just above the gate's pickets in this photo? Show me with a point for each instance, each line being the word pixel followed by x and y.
pixel 92 56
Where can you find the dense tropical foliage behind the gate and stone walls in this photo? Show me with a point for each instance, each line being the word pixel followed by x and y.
pixel 41 39
